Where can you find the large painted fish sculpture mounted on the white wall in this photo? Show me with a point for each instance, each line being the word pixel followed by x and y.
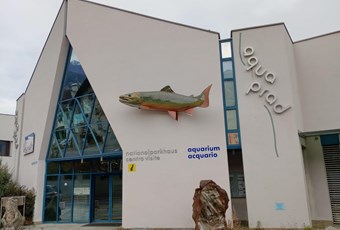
pixel 166 100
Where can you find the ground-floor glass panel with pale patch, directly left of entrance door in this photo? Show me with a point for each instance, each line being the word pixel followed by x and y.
pixel 81 198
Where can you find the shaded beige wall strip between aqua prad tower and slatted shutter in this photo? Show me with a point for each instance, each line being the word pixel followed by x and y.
pixel 317 180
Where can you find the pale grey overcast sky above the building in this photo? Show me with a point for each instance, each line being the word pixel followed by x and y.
pixel 25 25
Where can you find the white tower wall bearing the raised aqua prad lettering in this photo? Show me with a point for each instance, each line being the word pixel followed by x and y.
pixel 274 177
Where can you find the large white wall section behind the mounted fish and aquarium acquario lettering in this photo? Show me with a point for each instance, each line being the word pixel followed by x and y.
pixel 123 52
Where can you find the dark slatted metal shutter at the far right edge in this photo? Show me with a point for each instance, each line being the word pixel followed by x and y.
pixel 332 162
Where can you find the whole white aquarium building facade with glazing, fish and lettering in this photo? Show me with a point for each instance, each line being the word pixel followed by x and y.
pixel 269 137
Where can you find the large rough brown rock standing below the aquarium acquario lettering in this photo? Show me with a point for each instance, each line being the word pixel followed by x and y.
pixel 209 207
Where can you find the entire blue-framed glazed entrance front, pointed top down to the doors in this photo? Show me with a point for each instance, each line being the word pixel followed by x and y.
pixel 82 148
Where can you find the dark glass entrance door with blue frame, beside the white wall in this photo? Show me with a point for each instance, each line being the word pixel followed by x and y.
pixel 107 198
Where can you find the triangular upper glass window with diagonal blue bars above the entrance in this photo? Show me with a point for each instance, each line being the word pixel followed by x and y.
pixel 81 127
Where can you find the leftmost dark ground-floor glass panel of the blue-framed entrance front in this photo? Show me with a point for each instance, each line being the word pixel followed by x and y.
pixel 51 210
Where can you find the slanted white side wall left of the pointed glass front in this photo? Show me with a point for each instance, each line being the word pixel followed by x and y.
pixel 39 108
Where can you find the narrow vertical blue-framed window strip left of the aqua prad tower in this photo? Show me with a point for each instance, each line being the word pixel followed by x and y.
pixel 230 97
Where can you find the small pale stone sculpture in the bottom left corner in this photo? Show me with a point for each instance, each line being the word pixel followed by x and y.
pixel 12 219
